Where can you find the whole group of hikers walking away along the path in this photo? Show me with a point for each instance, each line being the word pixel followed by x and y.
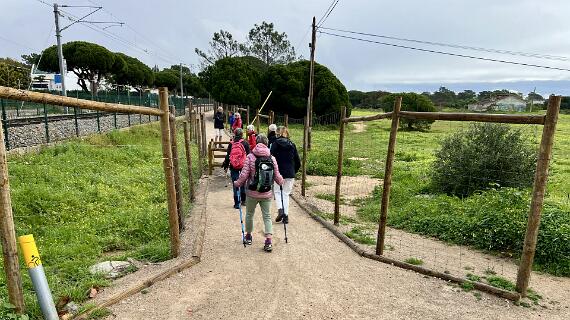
pixel 262 169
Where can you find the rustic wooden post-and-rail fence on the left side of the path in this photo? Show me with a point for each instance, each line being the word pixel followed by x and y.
pixel 170 165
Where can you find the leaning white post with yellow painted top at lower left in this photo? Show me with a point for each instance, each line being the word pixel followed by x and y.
pixel 38 276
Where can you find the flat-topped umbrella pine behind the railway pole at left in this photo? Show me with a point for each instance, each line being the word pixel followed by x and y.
pixel 90 62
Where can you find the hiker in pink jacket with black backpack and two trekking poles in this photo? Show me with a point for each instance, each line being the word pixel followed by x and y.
pixel 259 173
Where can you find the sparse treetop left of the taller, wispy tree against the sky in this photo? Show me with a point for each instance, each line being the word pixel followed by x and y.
pixel 223 45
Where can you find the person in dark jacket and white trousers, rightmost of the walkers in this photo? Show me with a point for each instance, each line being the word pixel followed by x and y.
pixel 285 152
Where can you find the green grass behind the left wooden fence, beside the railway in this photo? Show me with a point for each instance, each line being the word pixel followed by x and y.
pixel 86 201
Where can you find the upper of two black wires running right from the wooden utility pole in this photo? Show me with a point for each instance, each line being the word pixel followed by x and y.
pixel 456 46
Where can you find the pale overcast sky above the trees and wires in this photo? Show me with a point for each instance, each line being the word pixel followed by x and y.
pixel 169 30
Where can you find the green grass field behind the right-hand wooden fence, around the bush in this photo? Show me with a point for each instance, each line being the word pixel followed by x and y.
pixel 493 220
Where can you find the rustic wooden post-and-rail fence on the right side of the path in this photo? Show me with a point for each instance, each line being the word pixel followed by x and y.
pixel 539 186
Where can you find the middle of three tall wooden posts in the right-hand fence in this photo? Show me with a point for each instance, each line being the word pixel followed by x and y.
pixel 387 184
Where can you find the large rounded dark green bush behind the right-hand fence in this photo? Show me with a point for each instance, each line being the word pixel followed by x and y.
pixel 482 157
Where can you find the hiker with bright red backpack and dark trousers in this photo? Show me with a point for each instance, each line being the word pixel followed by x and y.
pixel 237 152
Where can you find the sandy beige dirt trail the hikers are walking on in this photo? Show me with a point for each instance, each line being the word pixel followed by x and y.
pixel 314 276
